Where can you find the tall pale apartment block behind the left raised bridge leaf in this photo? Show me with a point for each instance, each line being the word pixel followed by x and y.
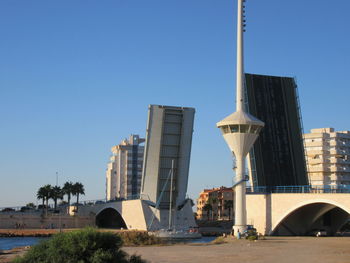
pixel 124 171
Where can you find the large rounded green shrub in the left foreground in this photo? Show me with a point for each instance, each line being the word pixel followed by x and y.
pixel 83 246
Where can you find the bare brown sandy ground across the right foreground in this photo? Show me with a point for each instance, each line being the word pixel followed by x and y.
pixel 274 249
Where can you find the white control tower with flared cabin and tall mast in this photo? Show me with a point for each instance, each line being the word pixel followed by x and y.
pixel 240 130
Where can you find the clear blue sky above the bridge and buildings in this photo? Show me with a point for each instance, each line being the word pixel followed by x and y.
pixel 76 78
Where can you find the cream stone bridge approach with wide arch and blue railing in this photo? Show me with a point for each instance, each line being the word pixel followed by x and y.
pixel 298 210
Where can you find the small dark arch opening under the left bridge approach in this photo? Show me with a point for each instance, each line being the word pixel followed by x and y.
pixel 110 217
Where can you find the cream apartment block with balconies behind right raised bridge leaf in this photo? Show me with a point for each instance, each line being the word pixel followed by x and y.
pixel 328 157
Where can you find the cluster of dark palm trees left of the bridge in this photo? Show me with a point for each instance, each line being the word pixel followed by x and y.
pixel 47 192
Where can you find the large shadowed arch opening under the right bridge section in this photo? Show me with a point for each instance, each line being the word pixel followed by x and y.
pixel 311 215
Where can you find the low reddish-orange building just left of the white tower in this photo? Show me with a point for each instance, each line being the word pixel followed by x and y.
pixel 221 203
